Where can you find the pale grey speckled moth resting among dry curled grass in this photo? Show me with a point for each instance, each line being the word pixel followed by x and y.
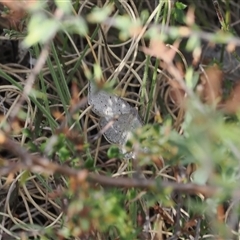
pixel 117 116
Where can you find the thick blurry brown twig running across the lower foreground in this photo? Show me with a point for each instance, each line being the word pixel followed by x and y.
pixel 37 163
